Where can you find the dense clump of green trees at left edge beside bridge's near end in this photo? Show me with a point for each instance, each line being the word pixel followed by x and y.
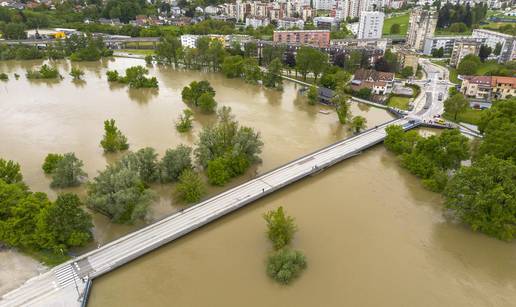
pixel 32 222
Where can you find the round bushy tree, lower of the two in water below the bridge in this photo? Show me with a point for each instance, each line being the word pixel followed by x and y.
pixel 285 265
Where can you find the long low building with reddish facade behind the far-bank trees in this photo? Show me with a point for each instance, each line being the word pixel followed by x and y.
pixel 319 38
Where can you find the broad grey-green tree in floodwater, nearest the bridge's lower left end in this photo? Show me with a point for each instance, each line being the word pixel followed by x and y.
pixel 120 194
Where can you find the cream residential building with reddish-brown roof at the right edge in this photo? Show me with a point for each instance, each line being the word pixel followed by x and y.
pixel 488 87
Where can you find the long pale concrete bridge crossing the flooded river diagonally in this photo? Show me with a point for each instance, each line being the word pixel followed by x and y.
pixel 68 283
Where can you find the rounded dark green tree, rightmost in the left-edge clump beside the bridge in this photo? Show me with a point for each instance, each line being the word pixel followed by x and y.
pixel 64 224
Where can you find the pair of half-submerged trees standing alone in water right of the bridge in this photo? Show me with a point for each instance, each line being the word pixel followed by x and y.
pixel 283 264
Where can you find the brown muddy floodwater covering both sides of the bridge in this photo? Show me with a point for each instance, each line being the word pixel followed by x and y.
pixel 372 235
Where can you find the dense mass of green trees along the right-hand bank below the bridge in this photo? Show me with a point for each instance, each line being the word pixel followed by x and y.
pixel 482 195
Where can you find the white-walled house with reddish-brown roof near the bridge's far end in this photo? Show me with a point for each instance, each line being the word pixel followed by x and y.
pixel 379 82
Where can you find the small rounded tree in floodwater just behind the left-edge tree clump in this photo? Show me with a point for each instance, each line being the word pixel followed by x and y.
pixel 68 172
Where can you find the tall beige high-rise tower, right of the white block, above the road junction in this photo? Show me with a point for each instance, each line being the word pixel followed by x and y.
pixel 422 25
